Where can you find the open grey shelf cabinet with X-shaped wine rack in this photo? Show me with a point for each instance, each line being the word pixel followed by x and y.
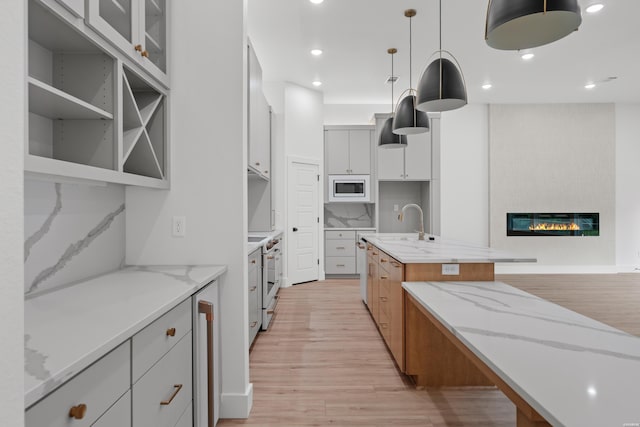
pixel 90 115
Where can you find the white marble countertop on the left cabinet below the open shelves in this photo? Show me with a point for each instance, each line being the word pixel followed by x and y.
pixel 69 328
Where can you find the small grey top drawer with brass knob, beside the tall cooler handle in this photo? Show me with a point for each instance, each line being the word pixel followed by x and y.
pixel 155 340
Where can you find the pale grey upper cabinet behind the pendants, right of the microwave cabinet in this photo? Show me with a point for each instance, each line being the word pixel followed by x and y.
pixel 412 163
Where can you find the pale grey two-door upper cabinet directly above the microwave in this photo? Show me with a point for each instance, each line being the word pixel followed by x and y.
pixel 348 150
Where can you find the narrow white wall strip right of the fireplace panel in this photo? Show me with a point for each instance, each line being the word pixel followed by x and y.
pixel 627 183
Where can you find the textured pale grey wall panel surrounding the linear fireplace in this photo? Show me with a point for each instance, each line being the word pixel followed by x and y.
pixel 553 158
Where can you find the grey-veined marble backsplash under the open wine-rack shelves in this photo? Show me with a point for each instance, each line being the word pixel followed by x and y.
pixel 72 232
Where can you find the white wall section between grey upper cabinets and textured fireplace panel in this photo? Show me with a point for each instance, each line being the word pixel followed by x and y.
pixel 464 169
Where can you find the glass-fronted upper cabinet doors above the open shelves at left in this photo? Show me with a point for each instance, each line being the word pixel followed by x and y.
pixel 138 28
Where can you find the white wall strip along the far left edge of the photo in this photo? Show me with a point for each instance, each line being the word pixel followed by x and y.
pixel 12 134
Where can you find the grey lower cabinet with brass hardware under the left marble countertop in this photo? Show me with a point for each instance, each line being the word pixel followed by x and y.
pixel 147 381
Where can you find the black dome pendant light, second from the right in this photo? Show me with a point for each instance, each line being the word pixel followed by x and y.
pixel 441 87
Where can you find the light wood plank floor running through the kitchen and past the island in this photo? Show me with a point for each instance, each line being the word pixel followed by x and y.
pixel 323 363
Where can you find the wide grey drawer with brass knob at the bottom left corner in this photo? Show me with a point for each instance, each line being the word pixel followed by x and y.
pixel 97 387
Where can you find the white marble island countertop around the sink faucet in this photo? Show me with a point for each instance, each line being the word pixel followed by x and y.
pixel 406 248
